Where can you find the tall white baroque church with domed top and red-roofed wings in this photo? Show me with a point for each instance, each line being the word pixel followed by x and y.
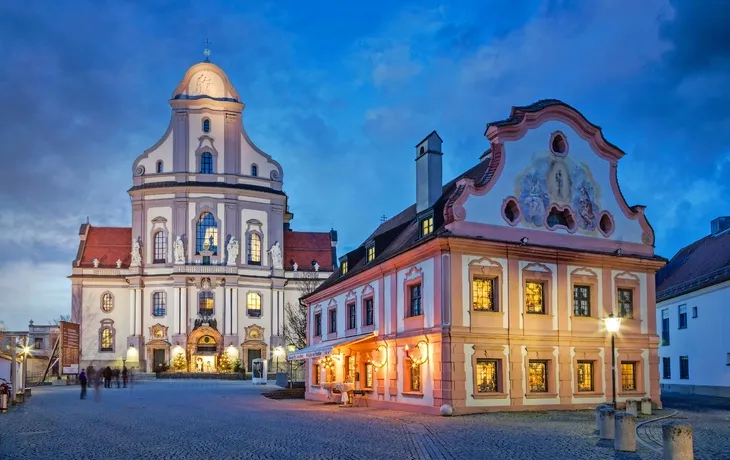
pixel 210 262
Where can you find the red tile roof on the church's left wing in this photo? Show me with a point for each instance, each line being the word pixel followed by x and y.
pixel 108 244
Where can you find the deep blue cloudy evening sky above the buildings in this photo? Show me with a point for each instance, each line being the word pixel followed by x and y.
pixel 339 93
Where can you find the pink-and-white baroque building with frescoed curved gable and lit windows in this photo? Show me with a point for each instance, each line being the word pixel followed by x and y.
pixel 491 292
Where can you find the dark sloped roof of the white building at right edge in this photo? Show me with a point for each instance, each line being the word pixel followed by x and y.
pixel 701 264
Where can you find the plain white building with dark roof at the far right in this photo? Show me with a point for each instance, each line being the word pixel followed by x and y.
pixel 693 316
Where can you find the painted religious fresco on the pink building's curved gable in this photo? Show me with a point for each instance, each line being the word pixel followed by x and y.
pixel 554 180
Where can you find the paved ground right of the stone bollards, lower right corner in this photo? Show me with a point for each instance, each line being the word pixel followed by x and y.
pixel 710 420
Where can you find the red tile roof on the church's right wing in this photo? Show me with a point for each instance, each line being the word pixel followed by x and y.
pixel 304 247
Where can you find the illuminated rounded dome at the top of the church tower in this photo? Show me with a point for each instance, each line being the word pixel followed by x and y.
pixel 205 81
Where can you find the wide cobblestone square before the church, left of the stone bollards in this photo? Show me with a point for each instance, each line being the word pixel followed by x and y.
pixel 231 420
